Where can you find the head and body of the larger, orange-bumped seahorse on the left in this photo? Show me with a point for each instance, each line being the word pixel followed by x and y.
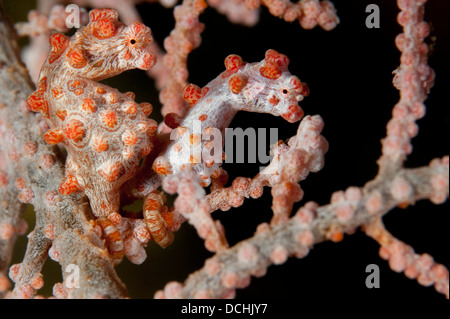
pixel 105 132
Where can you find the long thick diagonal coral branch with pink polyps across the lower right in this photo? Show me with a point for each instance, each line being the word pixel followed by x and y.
pixel 232 268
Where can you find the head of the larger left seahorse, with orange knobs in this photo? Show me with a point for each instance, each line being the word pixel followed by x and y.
pixel 103 48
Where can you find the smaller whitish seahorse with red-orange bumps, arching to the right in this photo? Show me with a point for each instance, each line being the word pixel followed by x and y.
pixel 263 87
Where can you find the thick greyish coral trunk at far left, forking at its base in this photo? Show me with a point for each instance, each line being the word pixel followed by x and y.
pixel 41 170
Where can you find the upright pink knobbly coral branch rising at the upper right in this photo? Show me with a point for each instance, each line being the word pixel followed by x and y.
pixel 413 78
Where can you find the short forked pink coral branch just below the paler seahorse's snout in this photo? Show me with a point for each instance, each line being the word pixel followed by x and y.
pixel 291 164
